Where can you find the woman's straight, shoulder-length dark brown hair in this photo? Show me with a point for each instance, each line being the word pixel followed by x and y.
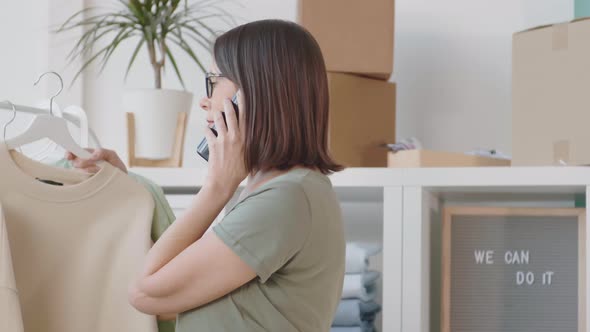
pixel 280 70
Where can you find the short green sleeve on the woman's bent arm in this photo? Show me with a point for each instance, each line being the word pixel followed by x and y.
pixel 268 228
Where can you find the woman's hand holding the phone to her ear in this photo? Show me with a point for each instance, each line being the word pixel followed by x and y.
pixel 226 169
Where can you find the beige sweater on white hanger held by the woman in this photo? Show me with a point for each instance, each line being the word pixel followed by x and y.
pixel 75 247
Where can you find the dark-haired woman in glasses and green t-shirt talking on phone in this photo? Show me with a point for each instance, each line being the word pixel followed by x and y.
pixel 276 261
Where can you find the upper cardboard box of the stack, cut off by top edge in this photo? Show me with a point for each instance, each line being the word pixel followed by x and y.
pixel 355 36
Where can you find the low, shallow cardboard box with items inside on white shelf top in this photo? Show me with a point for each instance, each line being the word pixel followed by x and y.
pixel 428 158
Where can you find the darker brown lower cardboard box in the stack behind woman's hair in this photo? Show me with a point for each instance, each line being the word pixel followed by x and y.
pixel 362 119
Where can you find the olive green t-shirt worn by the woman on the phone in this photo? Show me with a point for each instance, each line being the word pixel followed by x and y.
pixel 290 232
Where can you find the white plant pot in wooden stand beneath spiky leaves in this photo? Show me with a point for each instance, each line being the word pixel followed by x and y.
pixel 156 112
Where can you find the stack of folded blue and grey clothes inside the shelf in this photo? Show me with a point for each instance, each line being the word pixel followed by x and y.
pixel 357 309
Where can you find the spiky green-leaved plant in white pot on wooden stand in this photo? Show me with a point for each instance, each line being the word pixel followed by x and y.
pixel 155 26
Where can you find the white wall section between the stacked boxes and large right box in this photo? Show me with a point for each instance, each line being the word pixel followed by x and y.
pixel 453 68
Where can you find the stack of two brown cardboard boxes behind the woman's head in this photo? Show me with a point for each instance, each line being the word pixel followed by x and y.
pixel 356 38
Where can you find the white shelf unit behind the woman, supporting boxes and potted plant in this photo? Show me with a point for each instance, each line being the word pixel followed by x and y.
pixel 410 200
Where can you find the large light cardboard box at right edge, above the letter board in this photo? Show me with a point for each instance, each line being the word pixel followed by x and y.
pixel 551 95
